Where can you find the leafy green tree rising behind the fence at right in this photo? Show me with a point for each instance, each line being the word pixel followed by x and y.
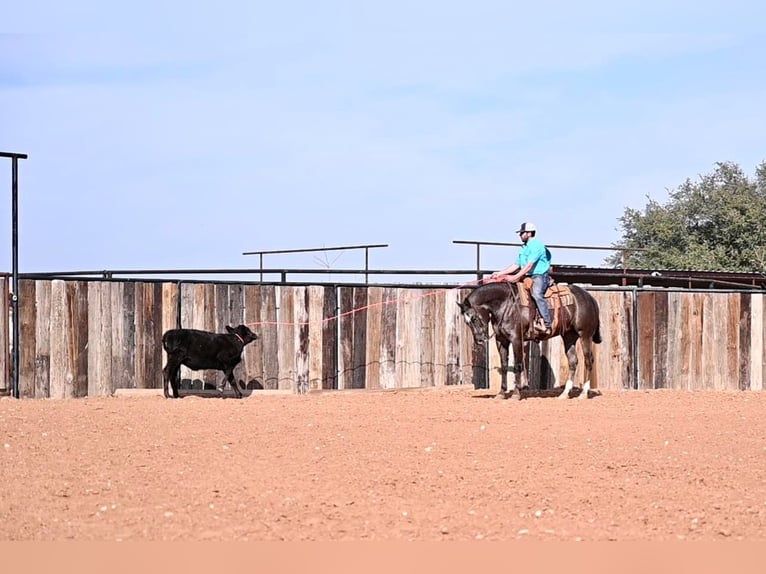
pixel 717 223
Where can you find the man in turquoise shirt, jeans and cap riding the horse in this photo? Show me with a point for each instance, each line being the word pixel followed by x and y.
pixel 533 261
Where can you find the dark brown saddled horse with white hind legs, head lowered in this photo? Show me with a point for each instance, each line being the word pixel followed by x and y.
pixel 502 304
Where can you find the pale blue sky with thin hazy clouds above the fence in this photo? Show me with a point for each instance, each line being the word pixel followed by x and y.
pixel 175 135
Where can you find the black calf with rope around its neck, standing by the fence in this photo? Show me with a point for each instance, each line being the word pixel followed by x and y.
pixel 203 350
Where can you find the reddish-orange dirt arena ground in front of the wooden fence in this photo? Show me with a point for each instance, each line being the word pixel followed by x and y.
pixel 448 464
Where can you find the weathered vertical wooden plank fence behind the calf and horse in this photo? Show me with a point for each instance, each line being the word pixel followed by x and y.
pixel 89 338
